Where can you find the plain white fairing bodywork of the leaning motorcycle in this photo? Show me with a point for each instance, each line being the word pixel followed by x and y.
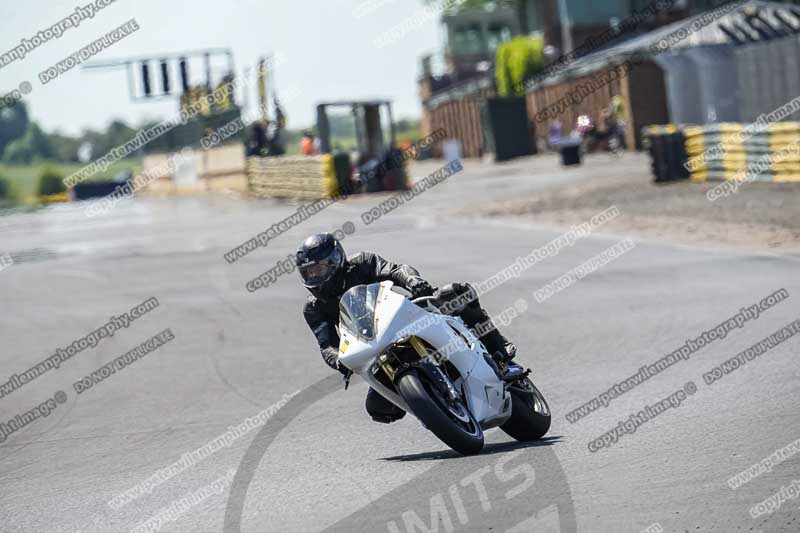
pixel 398 318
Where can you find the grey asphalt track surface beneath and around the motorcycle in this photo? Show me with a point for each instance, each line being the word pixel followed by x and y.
pixel 319 463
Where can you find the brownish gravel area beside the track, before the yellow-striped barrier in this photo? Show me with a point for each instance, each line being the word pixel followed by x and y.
pixel 761 217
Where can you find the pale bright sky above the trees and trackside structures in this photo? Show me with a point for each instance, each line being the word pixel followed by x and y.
pixel 327 51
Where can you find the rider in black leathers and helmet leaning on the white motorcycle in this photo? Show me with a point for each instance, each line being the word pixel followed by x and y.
pixel 327 273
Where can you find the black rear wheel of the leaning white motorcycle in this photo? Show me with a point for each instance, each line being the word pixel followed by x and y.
pixel 530 414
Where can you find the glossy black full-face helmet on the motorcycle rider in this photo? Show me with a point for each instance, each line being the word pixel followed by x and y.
pixel 320 260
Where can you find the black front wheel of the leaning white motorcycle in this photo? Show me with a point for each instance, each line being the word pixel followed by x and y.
pixel 450 421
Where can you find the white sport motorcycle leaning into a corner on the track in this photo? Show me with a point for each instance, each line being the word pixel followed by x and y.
pixel 431 365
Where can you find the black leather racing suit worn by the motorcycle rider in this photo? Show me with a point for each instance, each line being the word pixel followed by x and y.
pixel 322 315
